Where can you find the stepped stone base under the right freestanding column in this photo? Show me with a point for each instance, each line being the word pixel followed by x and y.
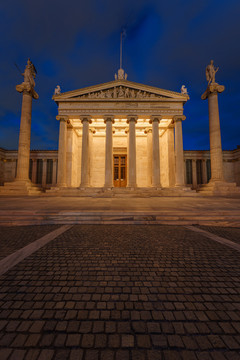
pixel 219 188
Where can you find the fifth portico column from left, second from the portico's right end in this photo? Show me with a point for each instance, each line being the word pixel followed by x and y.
pixel 155 151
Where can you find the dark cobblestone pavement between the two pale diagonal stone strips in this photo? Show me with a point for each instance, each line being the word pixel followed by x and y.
pixel 114 292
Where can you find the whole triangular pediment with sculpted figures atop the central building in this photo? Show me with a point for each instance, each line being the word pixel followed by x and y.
pixel 120 90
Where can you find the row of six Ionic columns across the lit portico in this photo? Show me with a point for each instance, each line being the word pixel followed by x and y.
pixel 153 141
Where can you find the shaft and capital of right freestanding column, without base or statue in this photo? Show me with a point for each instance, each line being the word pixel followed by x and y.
pixel 214 131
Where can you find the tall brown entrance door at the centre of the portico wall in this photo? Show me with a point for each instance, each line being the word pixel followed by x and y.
pixel 120 170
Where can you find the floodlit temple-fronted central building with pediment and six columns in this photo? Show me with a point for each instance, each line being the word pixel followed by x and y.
pixel 120 134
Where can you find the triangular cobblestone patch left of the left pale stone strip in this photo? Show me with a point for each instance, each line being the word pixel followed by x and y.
pixel 14 238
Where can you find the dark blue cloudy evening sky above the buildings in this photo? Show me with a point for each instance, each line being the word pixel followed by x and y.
pixel 75 43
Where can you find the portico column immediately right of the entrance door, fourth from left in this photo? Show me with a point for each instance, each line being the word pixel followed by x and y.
pixel 132 120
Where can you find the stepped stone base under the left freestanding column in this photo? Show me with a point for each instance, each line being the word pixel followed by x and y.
pixel 19 187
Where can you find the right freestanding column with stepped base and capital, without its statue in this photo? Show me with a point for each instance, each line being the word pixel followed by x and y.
pixel 217 184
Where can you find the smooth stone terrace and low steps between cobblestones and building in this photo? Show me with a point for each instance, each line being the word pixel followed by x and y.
pixel 190 209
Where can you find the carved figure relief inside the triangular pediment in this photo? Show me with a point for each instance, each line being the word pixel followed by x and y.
pixel 120 92
